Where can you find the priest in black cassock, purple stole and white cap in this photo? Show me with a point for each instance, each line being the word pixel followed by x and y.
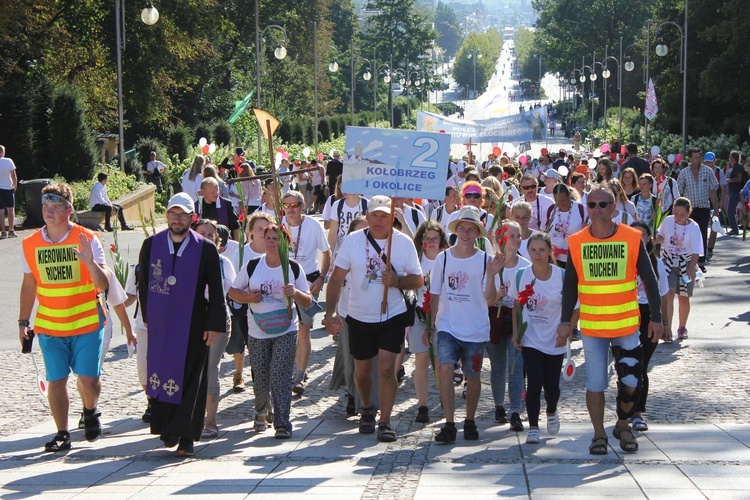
pixel 182 299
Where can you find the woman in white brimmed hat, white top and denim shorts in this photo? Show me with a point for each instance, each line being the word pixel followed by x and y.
pixel 462 284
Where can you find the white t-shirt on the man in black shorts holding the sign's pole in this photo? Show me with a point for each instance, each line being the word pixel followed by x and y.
pixel 366 267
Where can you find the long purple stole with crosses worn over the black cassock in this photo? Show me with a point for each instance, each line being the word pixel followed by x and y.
pixel 171 297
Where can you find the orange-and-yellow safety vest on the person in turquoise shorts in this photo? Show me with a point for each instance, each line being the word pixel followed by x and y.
pixel 68 301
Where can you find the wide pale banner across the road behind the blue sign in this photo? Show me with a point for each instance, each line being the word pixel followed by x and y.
pixel 531 125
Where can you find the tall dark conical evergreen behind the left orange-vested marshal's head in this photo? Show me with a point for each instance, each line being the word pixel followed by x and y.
pixel 75 153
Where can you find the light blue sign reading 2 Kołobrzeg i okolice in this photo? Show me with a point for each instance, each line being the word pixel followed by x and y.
pixel 396 163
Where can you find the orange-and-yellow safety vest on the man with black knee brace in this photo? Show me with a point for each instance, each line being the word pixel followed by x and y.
pixel 607 287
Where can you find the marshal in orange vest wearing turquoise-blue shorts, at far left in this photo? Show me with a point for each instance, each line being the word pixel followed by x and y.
pixel 63 265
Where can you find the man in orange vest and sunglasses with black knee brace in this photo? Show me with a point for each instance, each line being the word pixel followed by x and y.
pixel 603 261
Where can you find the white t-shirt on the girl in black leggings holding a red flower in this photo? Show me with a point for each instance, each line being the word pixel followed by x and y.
pixel 542 313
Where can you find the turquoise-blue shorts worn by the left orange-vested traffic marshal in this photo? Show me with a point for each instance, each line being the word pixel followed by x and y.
pixel 80 353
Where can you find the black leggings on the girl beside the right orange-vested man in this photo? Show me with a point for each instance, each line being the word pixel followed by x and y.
pixel 542 371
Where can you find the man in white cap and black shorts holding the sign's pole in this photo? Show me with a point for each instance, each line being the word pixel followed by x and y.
pixel 362 259
